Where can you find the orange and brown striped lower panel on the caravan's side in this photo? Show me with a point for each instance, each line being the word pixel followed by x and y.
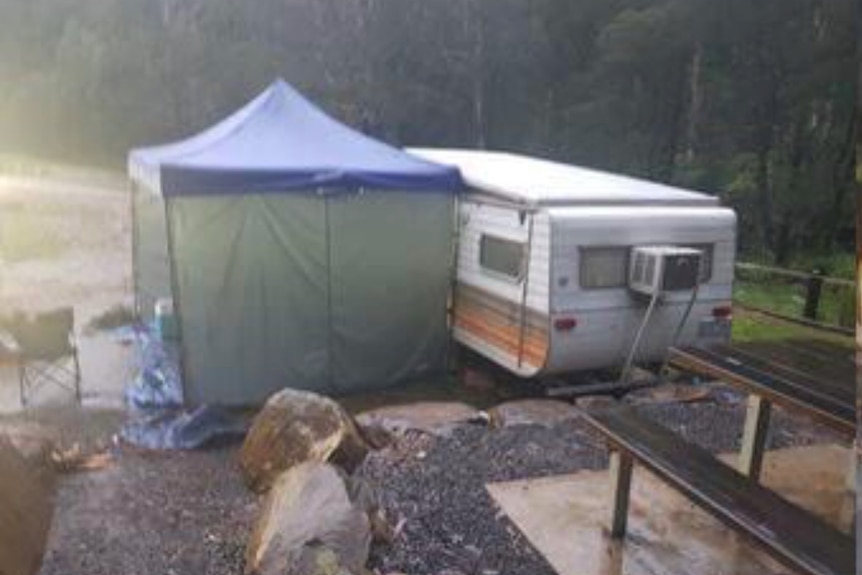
pixel 497 322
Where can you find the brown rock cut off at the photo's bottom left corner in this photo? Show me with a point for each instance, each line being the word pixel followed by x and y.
pixel 26 506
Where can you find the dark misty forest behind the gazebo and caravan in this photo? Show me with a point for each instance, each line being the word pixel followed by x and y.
pixel 752 101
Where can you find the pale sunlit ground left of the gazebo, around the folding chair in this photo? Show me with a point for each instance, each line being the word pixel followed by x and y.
pixel 65 241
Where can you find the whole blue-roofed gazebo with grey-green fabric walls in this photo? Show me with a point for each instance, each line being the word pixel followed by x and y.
pixel 297 253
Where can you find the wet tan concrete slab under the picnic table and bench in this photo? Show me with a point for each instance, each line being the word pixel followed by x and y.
pixel 565 518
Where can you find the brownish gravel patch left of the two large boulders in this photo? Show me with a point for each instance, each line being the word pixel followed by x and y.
pixel 174 513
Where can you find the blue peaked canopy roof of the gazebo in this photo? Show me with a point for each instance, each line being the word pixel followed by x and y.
pixel 280 142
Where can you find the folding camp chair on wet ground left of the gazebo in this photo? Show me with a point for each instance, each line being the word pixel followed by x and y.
pixel 47 353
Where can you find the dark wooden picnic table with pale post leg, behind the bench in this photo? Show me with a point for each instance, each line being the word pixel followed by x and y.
pixel 807 377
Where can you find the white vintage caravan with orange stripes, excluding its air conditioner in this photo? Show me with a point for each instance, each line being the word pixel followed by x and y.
pixel 542 265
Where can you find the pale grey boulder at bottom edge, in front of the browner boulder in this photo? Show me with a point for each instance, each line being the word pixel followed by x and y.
pixel 309 525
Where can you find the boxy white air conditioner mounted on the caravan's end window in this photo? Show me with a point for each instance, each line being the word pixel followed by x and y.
pixel 656 269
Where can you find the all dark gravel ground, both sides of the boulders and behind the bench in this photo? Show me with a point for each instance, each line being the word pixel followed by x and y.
pixel 188 513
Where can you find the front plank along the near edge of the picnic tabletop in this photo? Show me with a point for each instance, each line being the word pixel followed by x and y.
pixel 828 406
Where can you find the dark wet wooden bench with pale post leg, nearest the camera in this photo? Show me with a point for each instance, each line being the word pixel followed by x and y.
pixel 792 535
